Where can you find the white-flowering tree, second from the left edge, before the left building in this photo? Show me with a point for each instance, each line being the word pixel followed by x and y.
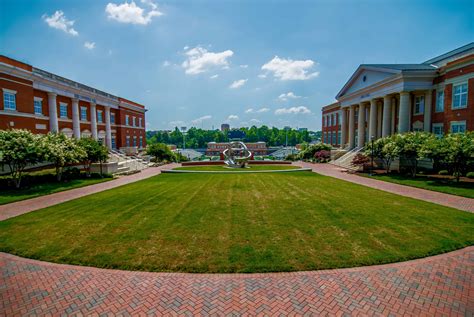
pixel 61 151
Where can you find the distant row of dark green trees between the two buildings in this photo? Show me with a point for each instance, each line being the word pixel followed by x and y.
pixel 198 138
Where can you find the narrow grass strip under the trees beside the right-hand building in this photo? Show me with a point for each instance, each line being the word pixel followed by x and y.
pixel 465 189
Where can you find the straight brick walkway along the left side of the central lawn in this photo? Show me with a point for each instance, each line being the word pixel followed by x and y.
pixel 28 205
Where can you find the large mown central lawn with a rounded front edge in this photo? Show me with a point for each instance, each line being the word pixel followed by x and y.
pixel 237 223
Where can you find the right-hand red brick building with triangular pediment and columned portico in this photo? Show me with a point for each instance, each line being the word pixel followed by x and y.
pixel 382 99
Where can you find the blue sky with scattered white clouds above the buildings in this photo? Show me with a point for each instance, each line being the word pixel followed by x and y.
pixel 203 63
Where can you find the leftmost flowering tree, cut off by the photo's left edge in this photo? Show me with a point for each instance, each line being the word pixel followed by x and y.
pixel 18 149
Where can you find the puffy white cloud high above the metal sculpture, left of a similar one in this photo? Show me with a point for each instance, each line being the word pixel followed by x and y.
pixel 199 60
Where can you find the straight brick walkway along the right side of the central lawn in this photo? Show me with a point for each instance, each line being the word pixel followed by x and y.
pixel 458 202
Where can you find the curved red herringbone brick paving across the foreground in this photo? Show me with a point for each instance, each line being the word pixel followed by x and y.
pixel 441 285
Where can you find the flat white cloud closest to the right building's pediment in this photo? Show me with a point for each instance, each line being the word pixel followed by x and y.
pixel 288 69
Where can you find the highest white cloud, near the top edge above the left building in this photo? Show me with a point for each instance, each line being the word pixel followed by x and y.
pixel 131 13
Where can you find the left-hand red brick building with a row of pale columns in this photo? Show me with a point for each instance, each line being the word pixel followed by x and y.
pixel 41 102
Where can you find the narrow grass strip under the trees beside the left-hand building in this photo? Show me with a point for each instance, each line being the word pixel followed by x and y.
pixel 48 187
